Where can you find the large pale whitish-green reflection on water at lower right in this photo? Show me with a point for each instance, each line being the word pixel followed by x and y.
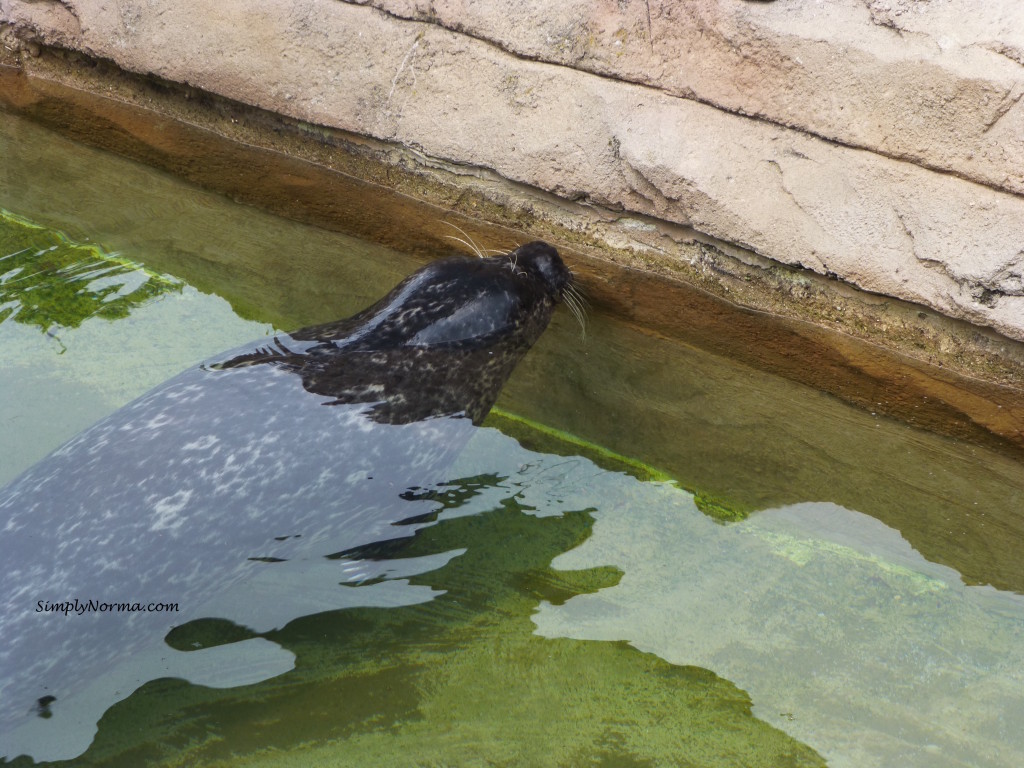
pixel 841 633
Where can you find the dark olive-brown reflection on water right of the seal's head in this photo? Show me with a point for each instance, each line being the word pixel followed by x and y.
pixel 757 442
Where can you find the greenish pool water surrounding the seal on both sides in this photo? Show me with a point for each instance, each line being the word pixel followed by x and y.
pixel 832 587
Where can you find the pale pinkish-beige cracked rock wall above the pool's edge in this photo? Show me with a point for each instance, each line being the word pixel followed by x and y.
pixel 877 142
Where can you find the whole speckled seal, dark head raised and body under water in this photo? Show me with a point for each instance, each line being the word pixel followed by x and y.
pixel 229 491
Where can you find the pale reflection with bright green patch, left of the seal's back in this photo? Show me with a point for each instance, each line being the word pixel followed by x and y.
pixel 65 364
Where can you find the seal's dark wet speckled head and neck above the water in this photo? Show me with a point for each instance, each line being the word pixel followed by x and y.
pixel 443 344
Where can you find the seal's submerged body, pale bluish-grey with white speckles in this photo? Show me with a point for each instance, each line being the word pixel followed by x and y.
pixel 178 499
